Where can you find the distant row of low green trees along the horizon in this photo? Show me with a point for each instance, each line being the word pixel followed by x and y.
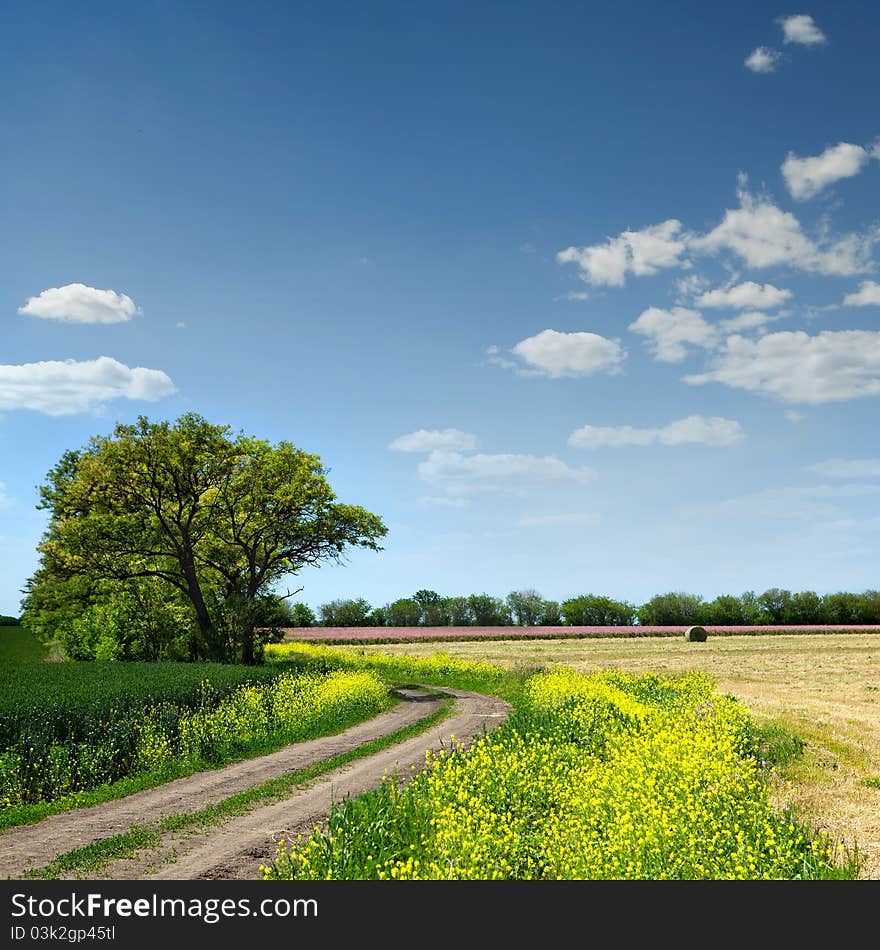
pixel 526 608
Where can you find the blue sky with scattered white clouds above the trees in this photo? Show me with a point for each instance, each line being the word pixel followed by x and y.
pixel 581 297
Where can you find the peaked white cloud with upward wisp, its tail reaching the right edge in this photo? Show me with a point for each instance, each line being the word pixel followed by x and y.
pixel 763 235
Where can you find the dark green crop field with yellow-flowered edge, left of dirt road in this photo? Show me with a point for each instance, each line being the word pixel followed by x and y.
pixel 73 734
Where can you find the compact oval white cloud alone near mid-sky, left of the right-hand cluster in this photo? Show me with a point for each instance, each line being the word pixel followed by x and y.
pixel 555 354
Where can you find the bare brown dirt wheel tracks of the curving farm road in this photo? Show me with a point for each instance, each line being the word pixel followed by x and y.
pixel 236 849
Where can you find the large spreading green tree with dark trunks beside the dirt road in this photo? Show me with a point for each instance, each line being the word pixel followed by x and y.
pixel 219 518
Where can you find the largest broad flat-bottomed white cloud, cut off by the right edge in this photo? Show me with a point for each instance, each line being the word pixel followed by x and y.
pixel 833 366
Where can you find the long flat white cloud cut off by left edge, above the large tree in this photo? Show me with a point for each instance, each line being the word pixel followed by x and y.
pixel 61 388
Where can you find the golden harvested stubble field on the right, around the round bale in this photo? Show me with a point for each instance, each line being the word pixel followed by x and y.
pixel 825 688
